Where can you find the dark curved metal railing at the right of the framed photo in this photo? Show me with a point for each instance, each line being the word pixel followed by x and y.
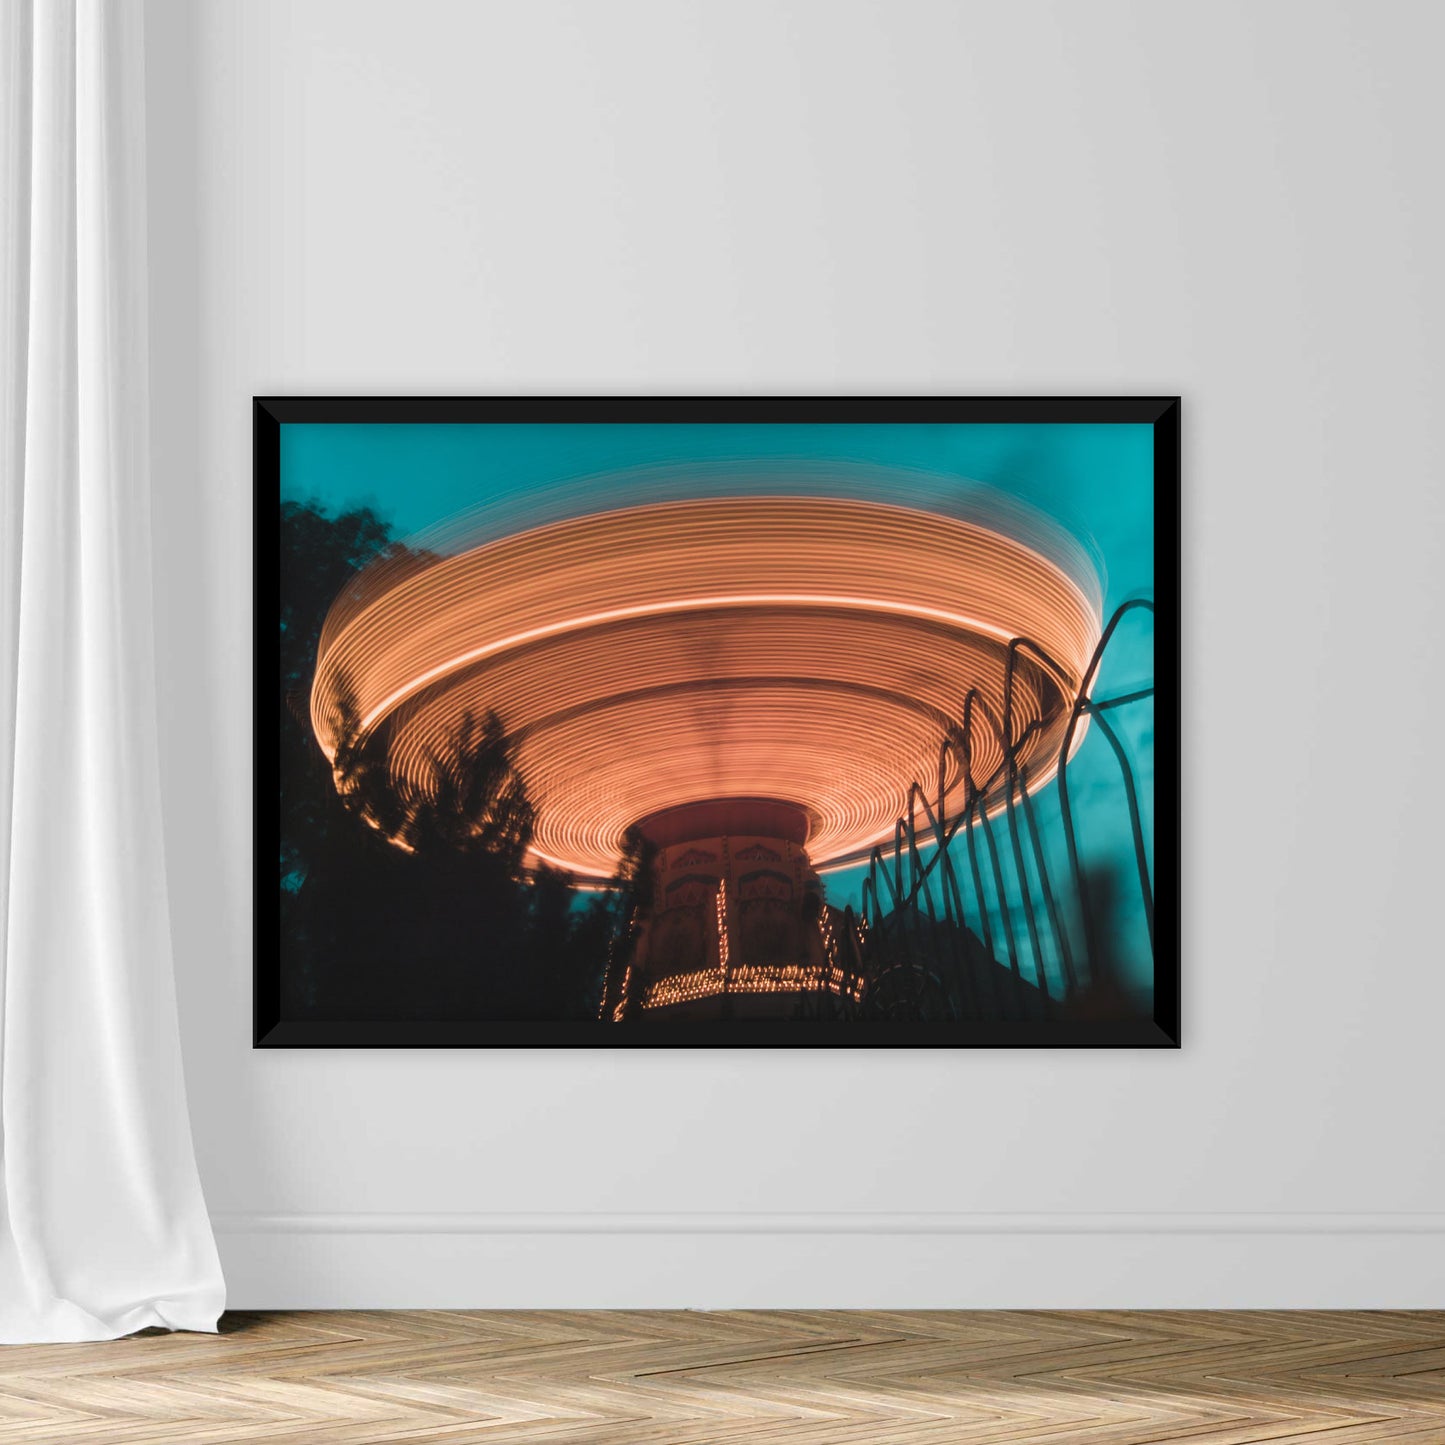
pixel 969 913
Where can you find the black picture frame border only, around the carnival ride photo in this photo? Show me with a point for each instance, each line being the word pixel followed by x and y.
pixel 271 1031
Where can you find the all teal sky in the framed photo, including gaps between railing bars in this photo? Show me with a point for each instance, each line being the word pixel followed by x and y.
pixel 1095 482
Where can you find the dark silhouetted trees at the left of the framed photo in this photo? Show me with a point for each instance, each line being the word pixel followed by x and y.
pixel 407 897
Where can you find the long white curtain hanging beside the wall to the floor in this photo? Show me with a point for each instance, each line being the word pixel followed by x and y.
pixel 103 1229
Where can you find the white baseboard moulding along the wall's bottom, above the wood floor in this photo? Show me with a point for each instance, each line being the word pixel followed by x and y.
pixel 833 1261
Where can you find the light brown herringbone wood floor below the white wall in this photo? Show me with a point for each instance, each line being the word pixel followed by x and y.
pixel 687 1379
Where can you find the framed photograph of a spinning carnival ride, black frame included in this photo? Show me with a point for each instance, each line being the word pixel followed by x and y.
pixel 719 723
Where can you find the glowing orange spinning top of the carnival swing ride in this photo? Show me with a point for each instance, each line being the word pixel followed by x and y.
pixel 808 650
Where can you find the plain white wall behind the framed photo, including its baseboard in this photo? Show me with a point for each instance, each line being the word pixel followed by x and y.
pixel 1238 203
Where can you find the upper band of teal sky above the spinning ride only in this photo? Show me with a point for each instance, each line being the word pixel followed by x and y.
pixel 1096 480
